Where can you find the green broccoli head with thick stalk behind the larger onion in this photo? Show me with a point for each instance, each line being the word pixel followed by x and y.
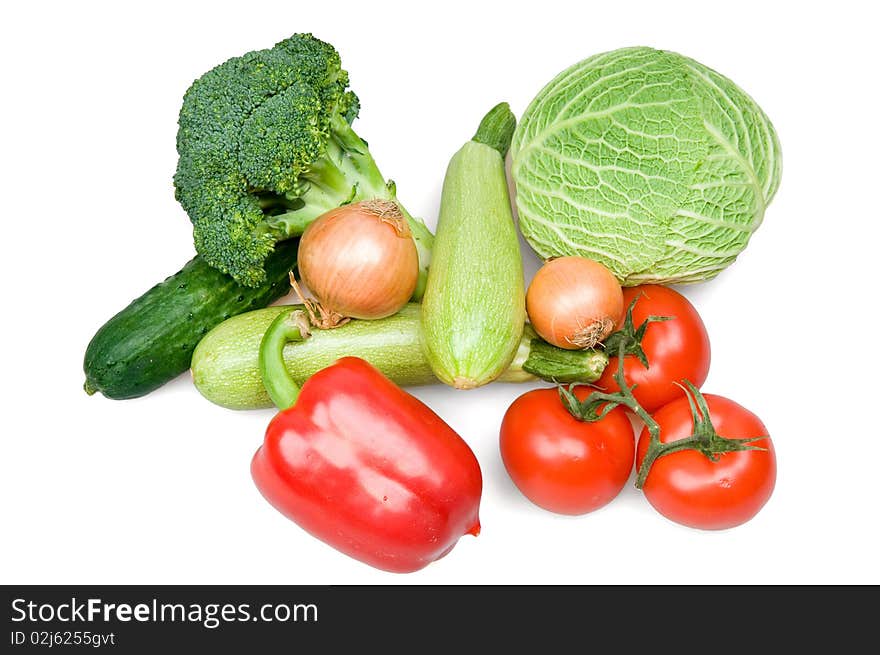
pixel 265 146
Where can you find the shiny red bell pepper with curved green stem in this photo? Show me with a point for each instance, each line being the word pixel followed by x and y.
pixel 361 464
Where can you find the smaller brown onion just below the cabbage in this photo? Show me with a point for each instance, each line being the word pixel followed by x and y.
pixel 574 302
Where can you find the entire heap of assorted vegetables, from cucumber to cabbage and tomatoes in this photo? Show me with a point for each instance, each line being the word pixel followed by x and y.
pixel 634 167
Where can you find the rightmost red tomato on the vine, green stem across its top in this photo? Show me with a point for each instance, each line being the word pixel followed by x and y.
pixel 689 488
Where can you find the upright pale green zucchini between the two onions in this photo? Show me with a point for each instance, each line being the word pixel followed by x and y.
pixel 474 305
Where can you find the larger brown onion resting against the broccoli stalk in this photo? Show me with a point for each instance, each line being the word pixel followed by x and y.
pixel 359 261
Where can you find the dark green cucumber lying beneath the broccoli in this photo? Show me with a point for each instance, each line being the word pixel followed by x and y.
pixel 152 340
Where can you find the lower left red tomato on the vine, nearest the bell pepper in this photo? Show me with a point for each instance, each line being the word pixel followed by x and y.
pixel 563 464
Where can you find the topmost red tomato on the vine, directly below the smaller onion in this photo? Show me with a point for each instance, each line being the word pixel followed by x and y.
pixel 677 349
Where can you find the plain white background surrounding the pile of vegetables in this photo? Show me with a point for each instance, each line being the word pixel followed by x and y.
pixel 157 490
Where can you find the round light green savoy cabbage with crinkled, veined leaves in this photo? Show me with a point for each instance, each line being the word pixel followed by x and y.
pixel 646 161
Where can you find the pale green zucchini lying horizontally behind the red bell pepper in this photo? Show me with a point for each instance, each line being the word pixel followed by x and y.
pixel 226 371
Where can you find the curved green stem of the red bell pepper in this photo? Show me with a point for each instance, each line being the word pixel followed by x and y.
pixel 292 325
